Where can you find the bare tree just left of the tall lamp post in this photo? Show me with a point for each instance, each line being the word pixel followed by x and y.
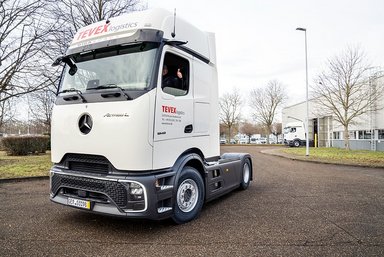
pixel 265 103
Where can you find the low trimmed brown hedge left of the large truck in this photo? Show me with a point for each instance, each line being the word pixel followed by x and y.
pixel 25 145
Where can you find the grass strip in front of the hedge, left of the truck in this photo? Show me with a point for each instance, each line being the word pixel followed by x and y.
pixel 24 166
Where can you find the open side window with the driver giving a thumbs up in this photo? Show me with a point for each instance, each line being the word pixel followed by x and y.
pixel 175 75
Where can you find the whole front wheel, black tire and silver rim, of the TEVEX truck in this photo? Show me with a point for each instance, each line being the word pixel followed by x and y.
pixel 189 196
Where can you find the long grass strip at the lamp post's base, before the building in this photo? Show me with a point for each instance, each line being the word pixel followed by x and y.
pixel 341 156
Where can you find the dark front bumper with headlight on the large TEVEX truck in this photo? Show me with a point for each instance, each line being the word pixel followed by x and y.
pixel 147 196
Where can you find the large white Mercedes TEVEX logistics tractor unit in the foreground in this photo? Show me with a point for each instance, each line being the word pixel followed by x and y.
pixel 135 125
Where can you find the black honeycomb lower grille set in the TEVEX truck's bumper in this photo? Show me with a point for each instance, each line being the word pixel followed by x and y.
pixel 114 190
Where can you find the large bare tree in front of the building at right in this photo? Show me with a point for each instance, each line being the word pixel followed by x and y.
pixel 344 90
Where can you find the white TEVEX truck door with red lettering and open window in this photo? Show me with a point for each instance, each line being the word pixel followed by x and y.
pixel 174 102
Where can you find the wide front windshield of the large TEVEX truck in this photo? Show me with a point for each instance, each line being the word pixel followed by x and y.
pixel 128 67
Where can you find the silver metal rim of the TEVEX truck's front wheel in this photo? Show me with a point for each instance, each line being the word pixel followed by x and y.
pixel 187 195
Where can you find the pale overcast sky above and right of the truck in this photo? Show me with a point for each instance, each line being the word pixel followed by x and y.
pixel 257 41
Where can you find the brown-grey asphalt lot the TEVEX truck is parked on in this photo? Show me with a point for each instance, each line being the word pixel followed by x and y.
pixel 292 208
